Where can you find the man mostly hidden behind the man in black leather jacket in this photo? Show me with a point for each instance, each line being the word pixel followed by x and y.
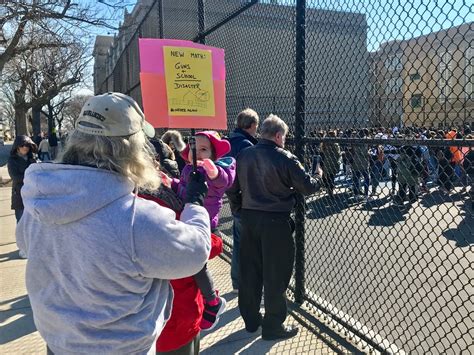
pixel 241 138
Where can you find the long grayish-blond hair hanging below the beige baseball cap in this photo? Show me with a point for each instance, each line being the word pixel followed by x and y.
pixel 129 156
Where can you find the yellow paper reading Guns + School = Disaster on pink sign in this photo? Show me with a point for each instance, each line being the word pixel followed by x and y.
pixel 189 85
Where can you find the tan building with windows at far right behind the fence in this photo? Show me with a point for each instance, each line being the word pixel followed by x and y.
pixel 426 81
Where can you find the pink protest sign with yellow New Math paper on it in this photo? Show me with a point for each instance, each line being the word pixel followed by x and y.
pixel 183 84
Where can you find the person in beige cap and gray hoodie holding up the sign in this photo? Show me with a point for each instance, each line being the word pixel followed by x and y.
pixel 99 257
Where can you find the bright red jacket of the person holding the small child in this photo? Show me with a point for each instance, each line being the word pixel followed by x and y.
pixel 188 304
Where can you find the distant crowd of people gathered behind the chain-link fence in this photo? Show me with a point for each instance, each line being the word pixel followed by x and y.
pixel 414 167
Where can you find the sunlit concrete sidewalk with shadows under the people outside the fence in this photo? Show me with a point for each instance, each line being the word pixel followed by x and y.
pixel 19 336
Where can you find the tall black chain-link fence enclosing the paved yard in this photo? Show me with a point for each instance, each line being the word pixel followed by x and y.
pixel 380 95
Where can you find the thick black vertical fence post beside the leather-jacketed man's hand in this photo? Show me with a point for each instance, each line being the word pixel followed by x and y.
pixel 300 146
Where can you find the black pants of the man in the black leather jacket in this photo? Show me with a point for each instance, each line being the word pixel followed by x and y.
pixel 267 253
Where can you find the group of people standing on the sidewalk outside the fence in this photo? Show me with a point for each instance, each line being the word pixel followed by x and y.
pixel 118 229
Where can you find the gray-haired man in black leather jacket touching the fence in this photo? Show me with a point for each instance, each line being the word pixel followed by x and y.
pixel 268 178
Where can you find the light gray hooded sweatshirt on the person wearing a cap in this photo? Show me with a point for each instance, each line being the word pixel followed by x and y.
pixel 99 258
